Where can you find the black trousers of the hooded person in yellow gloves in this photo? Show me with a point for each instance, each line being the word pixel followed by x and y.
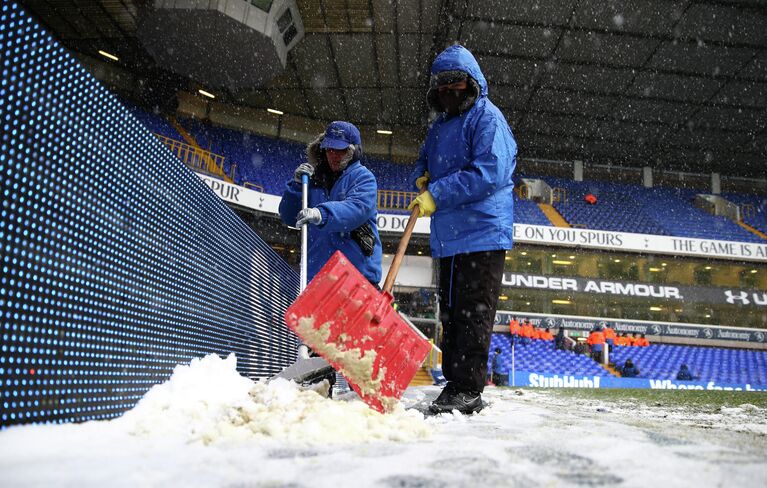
pixel 468 296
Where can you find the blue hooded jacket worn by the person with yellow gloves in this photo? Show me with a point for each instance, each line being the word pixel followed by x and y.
pixel 471 158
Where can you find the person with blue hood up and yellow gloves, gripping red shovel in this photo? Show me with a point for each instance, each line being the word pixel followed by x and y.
pixel 466 166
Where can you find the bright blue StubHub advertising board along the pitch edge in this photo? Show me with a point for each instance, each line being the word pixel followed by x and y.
pixel 548 380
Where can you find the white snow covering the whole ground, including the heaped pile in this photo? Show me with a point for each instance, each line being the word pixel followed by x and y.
pixel 208 426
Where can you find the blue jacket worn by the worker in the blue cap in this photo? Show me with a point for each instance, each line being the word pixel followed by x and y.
pixel 350 203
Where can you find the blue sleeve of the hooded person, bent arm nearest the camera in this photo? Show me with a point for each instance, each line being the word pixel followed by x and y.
pixel 489 169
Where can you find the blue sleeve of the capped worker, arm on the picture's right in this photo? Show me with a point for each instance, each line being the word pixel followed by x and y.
pixel 355 209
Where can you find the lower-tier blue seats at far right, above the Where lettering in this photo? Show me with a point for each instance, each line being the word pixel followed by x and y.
pixel 662 361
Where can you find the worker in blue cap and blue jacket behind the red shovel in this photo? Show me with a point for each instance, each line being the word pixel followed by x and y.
pixel 343 197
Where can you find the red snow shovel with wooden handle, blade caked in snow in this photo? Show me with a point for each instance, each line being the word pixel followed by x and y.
pixel 347 321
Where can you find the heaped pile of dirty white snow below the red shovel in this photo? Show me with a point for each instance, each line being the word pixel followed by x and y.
pixel 208 401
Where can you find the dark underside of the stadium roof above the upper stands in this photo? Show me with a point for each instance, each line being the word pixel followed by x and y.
pixel 673 84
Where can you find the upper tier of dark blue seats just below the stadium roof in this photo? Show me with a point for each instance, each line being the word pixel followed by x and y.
pixel 266 163
